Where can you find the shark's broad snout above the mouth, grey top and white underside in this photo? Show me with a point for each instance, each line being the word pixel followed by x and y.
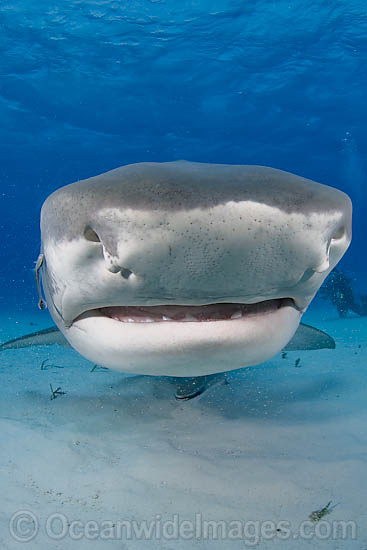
pixel 191 234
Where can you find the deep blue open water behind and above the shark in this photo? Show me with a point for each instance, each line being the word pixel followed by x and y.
pixel 86 86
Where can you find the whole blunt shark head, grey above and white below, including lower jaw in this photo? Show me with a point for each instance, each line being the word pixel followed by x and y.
pixel 187 269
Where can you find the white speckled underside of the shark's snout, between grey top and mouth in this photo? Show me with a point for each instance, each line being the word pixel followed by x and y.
pixel 235 253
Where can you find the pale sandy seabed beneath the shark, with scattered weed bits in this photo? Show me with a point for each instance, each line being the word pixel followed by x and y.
pixel 117 463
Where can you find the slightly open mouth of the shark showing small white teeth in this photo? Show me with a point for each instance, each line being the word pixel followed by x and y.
pixel 188 313
